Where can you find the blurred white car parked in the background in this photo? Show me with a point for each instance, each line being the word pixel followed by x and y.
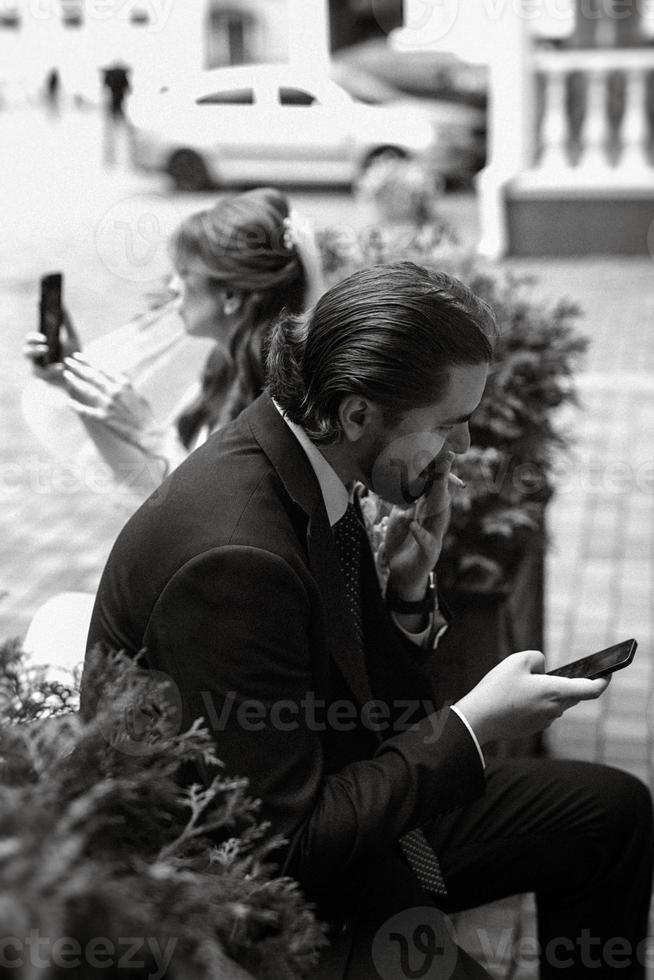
pixel 261 124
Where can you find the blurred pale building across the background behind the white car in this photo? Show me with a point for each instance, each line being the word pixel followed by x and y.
pixel 164 37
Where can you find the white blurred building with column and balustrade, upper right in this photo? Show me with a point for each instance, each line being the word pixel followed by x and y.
pixel 571 119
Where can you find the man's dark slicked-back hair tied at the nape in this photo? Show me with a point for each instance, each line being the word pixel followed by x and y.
pixel 389 333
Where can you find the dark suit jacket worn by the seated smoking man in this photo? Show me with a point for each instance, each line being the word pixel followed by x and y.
pixel 229 578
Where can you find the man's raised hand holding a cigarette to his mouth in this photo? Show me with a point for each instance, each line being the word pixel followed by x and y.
pixel 414 536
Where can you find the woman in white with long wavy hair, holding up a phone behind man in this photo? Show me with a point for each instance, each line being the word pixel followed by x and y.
pixel 237 265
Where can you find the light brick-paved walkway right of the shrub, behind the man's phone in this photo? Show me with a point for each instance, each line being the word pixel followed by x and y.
pixel 601 522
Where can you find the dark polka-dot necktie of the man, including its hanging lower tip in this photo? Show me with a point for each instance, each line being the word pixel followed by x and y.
pixel 348 537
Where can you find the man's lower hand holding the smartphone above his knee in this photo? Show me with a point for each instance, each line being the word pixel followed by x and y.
pixel 516 698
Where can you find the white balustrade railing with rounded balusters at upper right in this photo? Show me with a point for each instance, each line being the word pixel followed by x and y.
pixel 596 114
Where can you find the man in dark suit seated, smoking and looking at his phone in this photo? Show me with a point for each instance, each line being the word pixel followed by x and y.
pixel 245 578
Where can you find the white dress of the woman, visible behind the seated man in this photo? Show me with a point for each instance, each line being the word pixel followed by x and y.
pixel 164 365
